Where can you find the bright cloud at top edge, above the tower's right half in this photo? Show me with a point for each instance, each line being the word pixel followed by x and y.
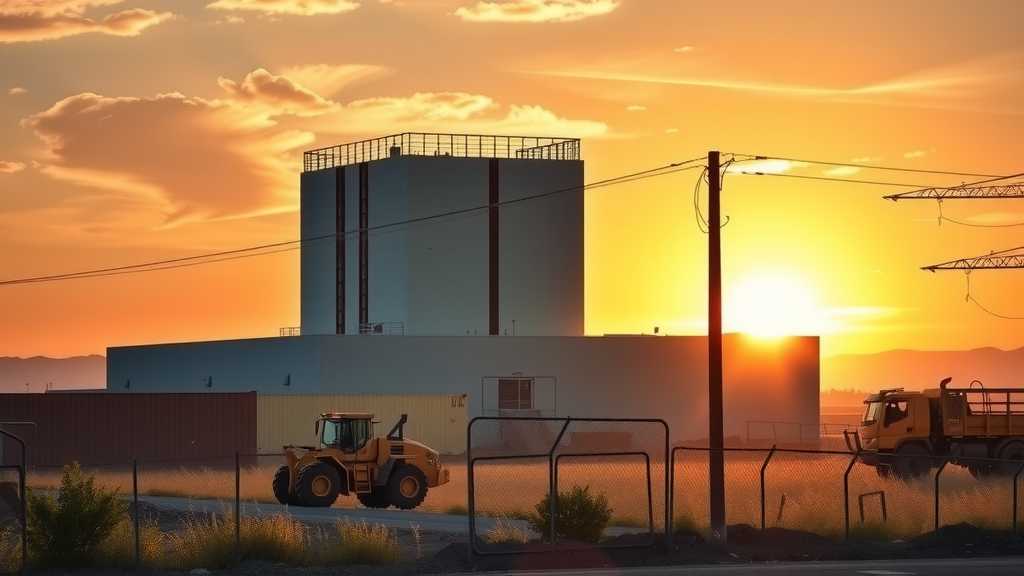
pixel 535 11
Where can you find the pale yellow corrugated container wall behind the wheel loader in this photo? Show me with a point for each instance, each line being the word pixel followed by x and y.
pixel 439 421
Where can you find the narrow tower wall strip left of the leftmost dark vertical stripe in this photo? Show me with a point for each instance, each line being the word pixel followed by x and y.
pixel 318 261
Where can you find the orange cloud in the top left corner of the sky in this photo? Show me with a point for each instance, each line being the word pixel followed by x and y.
pixel 32 21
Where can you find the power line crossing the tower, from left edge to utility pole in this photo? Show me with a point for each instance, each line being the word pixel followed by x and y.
pixel 294 244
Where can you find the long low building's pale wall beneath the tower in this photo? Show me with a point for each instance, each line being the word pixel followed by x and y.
pixel 617 377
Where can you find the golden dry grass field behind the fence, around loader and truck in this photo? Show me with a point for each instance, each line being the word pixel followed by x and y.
pixel 813 486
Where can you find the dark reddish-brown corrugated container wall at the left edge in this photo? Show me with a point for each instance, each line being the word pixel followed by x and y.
pixel 113 429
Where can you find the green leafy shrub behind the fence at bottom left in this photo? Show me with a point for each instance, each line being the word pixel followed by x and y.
pixel 67 532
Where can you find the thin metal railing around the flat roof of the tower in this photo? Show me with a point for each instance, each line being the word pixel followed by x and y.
pixel 424 144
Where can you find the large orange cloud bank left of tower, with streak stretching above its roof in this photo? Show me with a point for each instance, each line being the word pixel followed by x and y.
pixel 191 159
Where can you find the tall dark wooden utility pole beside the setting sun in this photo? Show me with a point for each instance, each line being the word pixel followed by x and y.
pixel 715 419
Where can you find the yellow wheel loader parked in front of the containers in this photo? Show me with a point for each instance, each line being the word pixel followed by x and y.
pixel 381 472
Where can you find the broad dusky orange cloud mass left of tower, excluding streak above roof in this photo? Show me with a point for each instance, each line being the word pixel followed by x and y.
pixel 193 158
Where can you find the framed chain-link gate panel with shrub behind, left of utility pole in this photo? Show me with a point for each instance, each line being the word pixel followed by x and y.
pixel 522 470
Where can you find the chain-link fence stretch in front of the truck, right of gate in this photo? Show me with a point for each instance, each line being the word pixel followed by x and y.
pixel 844 495
